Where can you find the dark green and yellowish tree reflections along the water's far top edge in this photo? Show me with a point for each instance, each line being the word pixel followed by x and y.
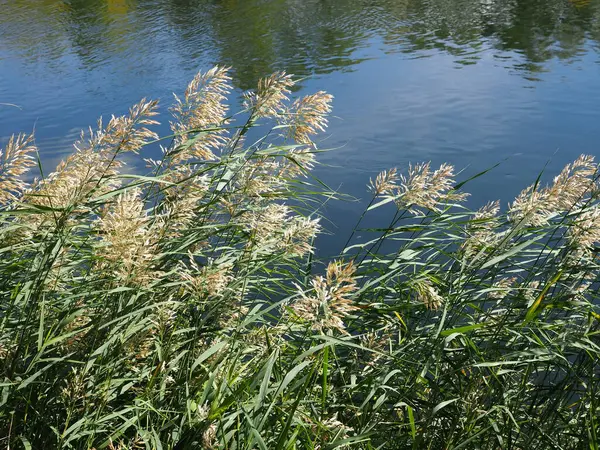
pixel 309 36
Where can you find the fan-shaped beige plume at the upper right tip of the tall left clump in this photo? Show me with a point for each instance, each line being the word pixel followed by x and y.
pixel 308 116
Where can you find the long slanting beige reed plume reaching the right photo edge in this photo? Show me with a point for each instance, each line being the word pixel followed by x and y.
pixel 533 206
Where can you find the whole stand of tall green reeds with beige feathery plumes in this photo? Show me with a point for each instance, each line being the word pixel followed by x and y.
pixel 184 308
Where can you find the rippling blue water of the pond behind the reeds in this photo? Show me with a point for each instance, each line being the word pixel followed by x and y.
pixel 471 82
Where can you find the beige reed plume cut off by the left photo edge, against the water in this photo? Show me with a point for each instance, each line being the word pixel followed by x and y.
pixel 15 161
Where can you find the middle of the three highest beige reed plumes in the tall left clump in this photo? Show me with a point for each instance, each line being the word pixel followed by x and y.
pixel 270 96
